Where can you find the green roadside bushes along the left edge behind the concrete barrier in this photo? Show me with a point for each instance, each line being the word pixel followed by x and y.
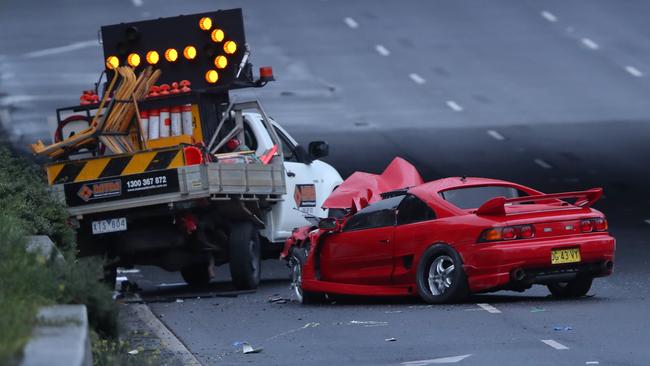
pixel 29 281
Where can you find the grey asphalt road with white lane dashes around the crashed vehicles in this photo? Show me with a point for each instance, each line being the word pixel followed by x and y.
pixel 551 94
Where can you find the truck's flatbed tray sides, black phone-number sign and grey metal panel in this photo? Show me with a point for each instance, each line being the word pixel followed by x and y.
pixel 218 181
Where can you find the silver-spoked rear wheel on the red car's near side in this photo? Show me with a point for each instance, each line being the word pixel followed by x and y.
pixel 440 275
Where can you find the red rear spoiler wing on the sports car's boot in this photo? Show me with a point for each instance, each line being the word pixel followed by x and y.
pixel 496 205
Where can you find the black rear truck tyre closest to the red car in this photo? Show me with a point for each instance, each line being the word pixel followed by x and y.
pixel 245 256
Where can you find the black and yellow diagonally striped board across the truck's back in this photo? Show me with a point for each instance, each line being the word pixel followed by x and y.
pixel 111 166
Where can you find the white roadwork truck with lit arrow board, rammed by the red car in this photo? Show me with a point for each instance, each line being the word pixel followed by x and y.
pixel 164 206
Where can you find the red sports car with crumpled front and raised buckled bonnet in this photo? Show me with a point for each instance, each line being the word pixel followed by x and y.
pixel 447 238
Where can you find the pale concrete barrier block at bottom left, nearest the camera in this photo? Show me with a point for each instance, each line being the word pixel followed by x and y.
pixel 60 338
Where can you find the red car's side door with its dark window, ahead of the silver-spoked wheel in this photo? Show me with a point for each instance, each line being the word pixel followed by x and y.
pixel 362 253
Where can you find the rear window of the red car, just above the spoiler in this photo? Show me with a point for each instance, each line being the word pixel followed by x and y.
pixel 474 197
